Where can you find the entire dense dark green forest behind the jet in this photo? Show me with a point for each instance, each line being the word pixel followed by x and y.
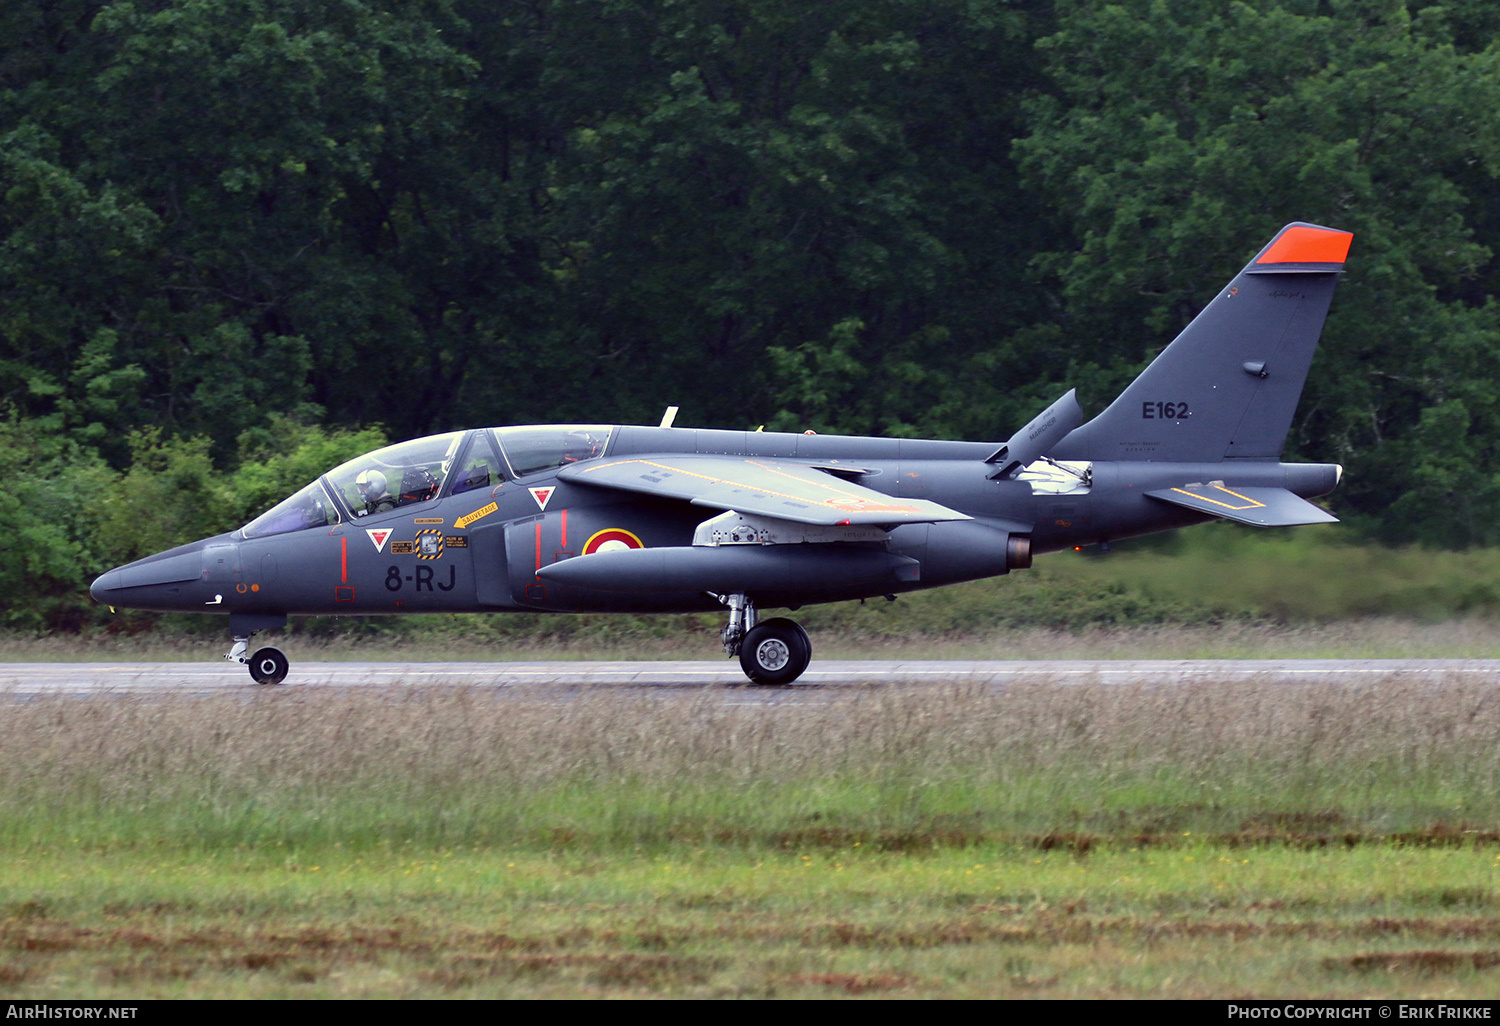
pixel 242 241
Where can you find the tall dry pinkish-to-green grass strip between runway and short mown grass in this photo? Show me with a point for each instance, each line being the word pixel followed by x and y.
pixel 1060 766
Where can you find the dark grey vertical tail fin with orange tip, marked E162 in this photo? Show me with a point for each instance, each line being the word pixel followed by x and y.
pixel 1229 385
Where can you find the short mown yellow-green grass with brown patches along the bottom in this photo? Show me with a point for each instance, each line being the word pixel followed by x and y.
pixel 985 922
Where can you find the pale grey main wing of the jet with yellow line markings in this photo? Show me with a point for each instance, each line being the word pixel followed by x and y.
pixel 758 485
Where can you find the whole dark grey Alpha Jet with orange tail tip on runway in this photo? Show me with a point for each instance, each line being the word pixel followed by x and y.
pixel 595 518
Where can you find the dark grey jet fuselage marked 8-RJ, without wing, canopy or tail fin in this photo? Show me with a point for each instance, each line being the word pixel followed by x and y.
pixel 481 551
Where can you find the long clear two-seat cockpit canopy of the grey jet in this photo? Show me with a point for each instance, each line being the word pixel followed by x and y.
pixel 428 469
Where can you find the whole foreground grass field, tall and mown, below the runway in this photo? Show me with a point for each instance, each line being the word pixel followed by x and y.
pixel 1247 839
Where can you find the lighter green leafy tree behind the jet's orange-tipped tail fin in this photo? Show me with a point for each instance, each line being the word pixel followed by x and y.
pixel 1183 133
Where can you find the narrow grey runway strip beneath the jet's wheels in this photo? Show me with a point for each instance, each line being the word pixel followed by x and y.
pixel 31 680
